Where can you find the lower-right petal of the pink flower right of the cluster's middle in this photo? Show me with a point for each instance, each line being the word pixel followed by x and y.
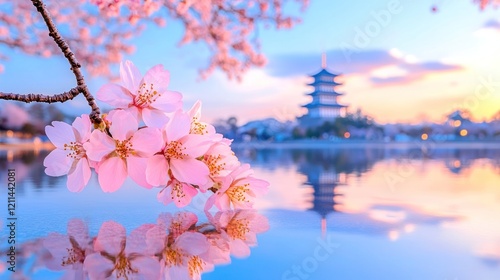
pixel 189 170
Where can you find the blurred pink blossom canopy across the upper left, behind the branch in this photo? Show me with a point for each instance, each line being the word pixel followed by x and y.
pixel 102 29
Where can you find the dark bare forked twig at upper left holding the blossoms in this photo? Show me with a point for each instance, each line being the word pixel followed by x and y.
pixel 75 68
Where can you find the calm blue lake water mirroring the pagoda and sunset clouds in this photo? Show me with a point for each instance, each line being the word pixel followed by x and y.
pixel 337 213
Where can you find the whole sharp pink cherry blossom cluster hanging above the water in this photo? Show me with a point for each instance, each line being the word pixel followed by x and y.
pixel 149 138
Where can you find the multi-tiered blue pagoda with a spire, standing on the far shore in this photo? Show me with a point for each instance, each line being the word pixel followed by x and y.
pixel 324 106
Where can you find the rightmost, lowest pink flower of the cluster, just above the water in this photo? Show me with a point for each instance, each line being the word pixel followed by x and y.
pixel 238 189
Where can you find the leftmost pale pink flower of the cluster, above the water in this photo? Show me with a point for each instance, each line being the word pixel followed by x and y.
pixel 70 156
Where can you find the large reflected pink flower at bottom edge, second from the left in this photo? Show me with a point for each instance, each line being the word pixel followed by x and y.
pixel 120 257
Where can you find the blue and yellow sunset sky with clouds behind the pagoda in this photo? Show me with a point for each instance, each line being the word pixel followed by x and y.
pixel 400 62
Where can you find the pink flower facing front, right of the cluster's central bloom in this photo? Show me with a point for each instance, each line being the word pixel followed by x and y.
pixel 179 156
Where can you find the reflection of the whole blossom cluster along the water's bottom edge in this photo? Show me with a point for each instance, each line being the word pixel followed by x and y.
pixel 178 246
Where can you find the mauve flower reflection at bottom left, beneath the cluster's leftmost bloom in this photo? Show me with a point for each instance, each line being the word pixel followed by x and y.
pixel 69 251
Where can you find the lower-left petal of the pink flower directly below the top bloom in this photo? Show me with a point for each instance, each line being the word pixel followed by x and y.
pixel 112 174
